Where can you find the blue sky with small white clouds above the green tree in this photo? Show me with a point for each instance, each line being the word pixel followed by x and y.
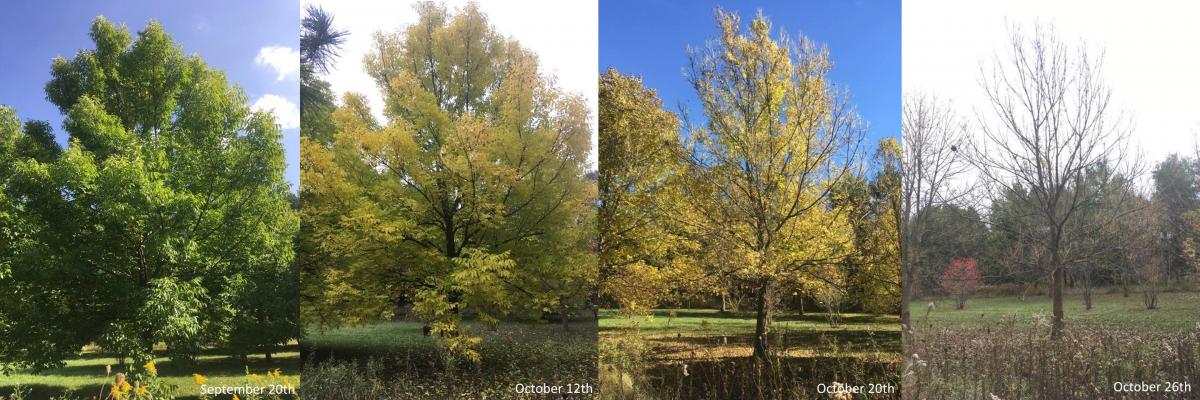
pixel 254 43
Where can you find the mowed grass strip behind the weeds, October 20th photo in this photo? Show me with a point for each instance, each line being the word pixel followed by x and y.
pixel 729 335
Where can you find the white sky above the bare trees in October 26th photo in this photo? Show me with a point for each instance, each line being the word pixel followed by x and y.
pixel 1153 57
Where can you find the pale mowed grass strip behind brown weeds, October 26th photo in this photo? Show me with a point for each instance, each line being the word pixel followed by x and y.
pixel 1177 312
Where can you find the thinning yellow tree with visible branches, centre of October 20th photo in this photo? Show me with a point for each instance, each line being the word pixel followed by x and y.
pixel 777 141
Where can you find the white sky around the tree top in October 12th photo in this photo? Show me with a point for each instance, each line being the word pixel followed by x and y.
pixel 563 34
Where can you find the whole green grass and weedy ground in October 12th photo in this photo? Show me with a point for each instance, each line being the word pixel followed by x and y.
pixel 395 360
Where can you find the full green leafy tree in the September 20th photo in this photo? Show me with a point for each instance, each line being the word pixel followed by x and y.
pixel 171 190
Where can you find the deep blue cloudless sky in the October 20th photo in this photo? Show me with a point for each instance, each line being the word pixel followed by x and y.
pixel 651 38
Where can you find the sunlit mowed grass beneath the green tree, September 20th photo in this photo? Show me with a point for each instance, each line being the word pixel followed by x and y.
pixel 85 378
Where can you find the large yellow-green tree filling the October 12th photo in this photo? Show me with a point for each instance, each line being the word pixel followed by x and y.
pixel 475 195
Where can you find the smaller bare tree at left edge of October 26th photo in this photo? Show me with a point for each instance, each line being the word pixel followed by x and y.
pixel 932 139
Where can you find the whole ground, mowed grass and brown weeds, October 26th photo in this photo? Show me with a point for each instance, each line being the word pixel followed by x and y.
pixel 1000 348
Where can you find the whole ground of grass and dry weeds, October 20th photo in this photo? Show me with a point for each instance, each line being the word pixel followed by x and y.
pixel 709 355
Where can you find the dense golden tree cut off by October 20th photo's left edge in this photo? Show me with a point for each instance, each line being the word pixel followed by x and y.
pixel 639 142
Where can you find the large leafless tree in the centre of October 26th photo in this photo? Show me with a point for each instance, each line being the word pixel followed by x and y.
pixel 1052 123
